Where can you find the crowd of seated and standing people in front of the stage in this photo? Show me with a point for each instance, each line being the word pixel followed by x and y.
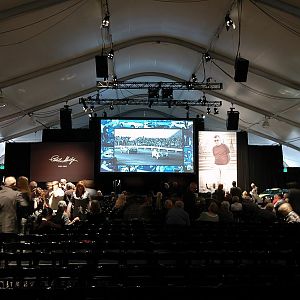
pixel 25 207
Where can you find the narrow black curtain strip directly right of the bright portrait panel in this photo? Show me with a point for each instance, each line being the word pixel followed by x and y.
pixel 242 161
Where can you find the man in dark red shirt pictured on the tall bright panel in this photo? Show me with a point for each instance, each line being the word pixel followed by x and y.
pixel 221 155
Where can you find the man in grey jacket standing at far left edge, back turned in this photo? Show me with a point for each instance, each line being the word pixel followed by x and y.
pixel 10 199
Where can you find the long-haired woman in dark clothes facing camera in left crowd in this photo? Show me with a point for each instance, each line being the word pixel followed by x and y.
pixel 79 202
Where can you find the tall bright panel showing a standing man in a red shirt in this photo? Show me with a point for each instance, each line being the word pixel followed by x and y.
pixel 217 160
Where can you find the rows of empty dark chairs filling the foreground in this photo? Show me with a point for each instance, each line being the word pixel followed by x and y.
pixel 136 259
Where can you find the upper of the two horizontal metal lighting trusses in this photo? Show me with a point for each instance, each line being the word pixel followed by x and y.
pixel 181 85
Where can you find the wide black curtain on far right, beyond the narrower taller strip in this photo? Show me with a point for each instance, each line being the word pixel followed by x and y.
pixel 265 166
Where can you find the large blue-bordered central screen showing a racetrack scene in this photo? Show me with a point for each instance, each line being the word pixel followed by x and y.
pixel 153 146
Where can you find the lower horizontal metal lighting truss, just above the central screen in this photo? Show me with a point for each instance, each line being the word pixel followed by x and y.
pixel 148 102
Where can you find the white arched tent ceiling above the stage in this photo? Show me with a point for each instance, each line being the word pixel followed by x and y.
pixel 48 48
